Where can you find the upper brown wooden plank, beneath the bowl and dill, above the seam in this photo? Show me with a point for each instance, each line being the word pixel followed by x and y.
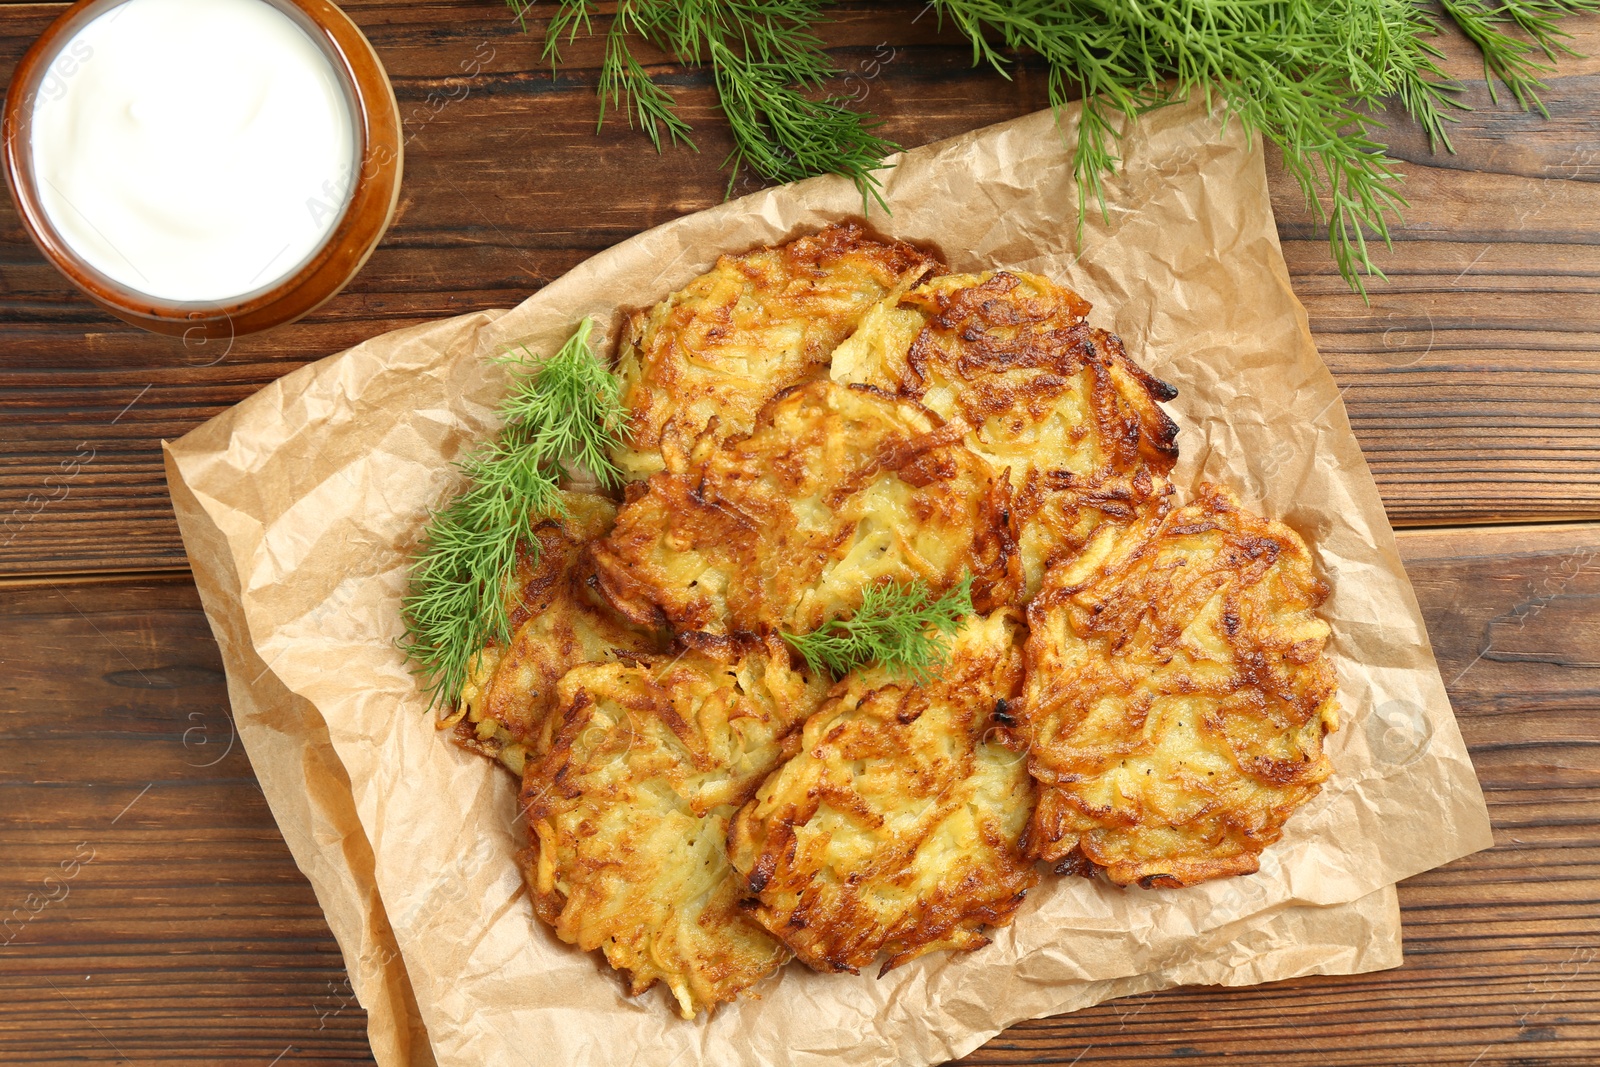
pixel 1473 380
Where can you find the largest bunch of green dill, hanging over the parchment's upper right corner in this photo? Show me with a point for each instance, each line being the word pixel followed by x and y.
pixel 1308 74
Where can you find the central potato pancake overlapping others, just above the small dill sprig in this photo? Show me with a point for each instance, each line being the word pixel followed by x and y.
pixel 839 489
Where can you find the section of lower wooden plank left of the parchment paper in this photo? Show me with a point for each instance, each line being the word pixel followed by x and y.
pixel 150 909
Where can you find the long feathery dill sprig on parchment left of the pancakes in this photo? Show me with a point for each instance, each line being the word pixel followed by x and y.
pixel 561 415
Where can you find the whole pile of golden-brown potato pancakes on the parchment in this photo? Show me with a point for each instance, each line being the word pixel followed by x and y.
pixel 1142 693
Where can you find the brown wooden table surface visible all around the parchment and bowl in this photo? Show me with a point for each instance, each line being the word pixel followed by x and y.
pixel 156 913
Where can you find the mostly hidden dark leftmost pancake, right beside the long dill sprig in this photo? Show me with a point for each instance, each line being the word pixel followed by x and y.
pixel 558 621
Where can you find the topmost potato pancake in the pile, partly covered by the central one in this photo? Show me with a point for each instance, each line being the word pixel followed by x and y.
pixel 714 353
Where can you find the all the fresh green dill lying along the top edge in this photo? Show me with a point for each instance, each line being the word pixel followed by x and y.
pixel 1310 76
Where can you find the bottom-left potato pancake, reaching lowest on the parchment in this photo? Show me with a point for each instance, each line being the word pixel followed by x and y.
pixel 630 805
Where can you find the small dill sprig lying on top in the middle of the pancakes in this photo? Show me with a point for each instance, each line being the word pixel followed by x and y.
pixel 900 626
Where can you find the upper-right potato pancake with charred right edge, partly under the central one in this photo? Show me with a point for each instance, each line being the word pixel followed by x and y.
pixel 1038 391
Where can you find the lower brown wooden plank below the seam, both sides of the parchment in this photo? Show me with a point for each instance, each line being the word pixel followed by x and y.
pixel 190 938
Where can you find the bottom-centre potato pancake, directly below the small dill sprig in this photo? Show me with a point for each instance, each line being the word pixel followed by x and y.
pixel 898 826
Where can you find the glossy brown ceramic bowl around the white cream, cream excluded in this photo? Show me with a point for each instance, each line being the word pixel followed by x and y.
pixel 374 198
